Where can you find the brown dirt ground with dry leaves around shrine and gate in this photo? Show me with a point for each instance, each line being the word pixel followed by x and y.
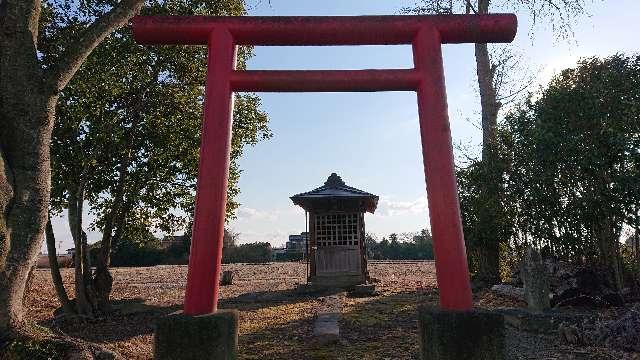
pixel 276 320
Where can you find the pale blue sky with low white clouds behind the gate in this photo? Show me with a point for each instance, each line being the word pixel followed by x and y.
pixel 372 139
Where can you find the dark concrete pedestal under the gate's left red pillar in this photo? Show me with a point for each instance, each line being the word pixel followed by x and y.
pixel 204 337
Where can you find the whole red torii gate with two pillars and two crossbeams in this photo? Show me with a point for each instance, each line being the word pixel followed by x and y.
pixel 425 33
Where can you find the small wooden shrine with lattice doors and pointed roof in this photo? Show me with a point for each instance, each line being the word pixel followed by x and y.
pixel 337 248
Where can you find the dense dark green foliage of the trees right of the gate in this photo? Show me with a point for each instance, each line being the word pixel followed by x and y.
pixel 570 160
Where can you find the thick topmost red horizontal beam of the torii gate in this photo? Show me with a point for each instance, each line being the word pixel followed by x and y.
pixel 325 30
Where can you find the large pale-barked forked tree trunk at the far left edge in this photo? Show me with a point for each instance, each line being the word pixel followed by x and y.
pixel 28 96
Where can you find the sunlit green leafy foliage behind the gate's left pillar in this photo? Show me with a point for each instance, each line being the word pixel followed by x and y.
pixel 131 117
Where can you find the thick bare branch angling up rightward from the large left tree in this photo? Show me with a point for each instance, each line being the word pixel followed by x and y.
pixel 60 73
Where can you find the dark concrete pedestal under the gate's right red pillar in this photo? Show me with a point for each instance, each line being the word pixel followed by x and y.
pixel 460 335
